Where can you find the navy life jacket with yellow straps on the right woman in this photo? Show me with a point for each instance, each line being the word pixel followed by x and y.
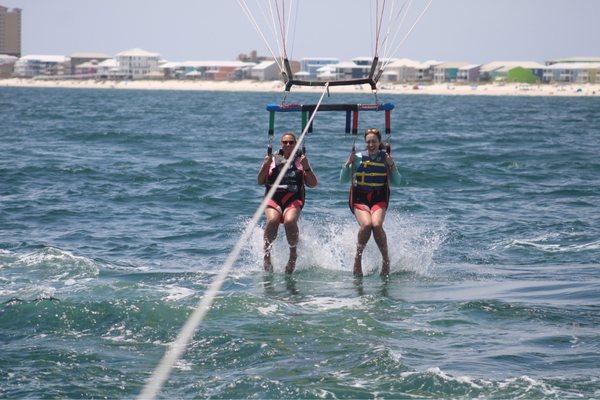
pixel 369 176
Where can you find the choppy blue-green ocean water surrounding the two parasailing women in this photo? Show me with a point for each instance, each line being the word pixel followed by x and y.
pixel 118 207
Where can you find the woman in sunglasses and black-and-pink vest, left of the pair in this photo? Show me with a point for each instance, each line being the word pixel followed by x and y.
pixel 288 200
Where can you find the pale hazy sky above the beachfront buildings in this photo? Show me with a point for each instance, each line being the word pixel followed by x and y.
pixel 471 30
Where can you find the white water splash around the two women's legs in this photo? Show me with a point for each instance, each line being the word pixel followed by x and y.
pixel 331 244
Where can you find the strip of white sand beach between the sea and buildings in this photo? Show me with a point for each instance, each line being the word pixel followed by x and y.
pixel 450 89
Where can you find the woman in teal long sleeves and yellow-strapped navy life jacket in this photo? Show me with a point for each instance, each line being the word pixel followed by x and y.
pixel 374 171
